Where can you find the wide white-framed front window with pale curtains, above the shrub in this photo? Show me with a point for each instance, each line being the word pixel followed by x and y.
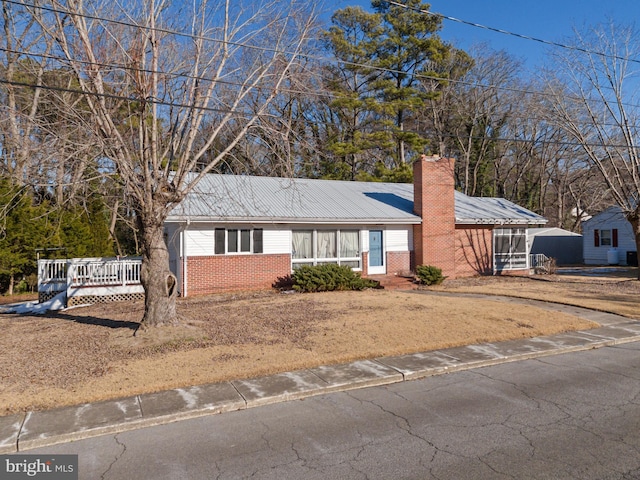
pixel 318 247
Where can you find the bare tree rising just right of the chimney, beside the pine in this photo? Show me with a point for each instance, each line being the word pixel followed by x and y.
pixel 469 116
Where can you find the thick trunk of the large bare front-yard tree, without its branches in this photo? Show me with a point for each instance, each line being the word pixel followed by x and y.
pixel 160 284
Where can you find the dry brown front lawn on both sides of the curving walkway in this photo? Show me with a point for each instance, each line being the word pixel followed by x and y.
pixel 90 353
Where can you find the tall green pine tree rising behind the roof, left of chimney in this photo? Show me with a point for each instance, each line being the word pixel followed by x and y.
pixel 376 87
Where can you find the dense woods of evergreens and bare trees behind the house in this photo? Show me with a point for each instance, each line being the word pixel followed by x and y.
pixel 380 89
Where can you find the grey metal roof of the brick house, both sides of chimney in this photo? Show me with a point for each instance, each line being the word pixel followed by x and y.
pixel 240 198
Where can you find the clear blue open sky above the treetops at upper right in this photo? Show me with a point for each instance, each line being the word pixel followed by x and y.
pixel 551 20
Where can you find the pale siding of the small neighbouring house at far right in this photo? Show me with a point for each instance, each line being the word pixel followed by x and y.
pixel 610 219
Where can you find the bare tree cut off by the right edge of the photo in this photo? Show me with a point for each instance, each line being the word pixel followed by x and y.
pixel 597 104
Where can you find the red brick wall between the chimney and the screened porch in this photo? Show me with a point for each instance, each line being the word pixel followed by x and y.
pixel 474 250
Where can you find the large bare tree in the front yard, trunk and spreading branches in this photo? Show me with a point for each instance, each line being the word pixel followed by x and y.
pixel 164 82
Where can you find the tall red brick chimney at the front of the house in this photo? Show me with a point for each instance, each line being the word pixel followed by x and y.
pixel 433 200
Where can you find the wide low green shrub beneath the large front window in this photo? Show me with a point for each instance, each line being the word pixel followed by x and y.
pixel 326 278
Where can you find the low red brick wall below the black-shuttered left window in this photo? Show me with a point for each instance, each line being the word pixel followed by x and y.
pixel 235 272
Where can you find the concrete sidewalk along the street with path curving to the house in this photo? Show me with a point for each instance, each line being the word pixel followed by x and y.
pixel 39 429
